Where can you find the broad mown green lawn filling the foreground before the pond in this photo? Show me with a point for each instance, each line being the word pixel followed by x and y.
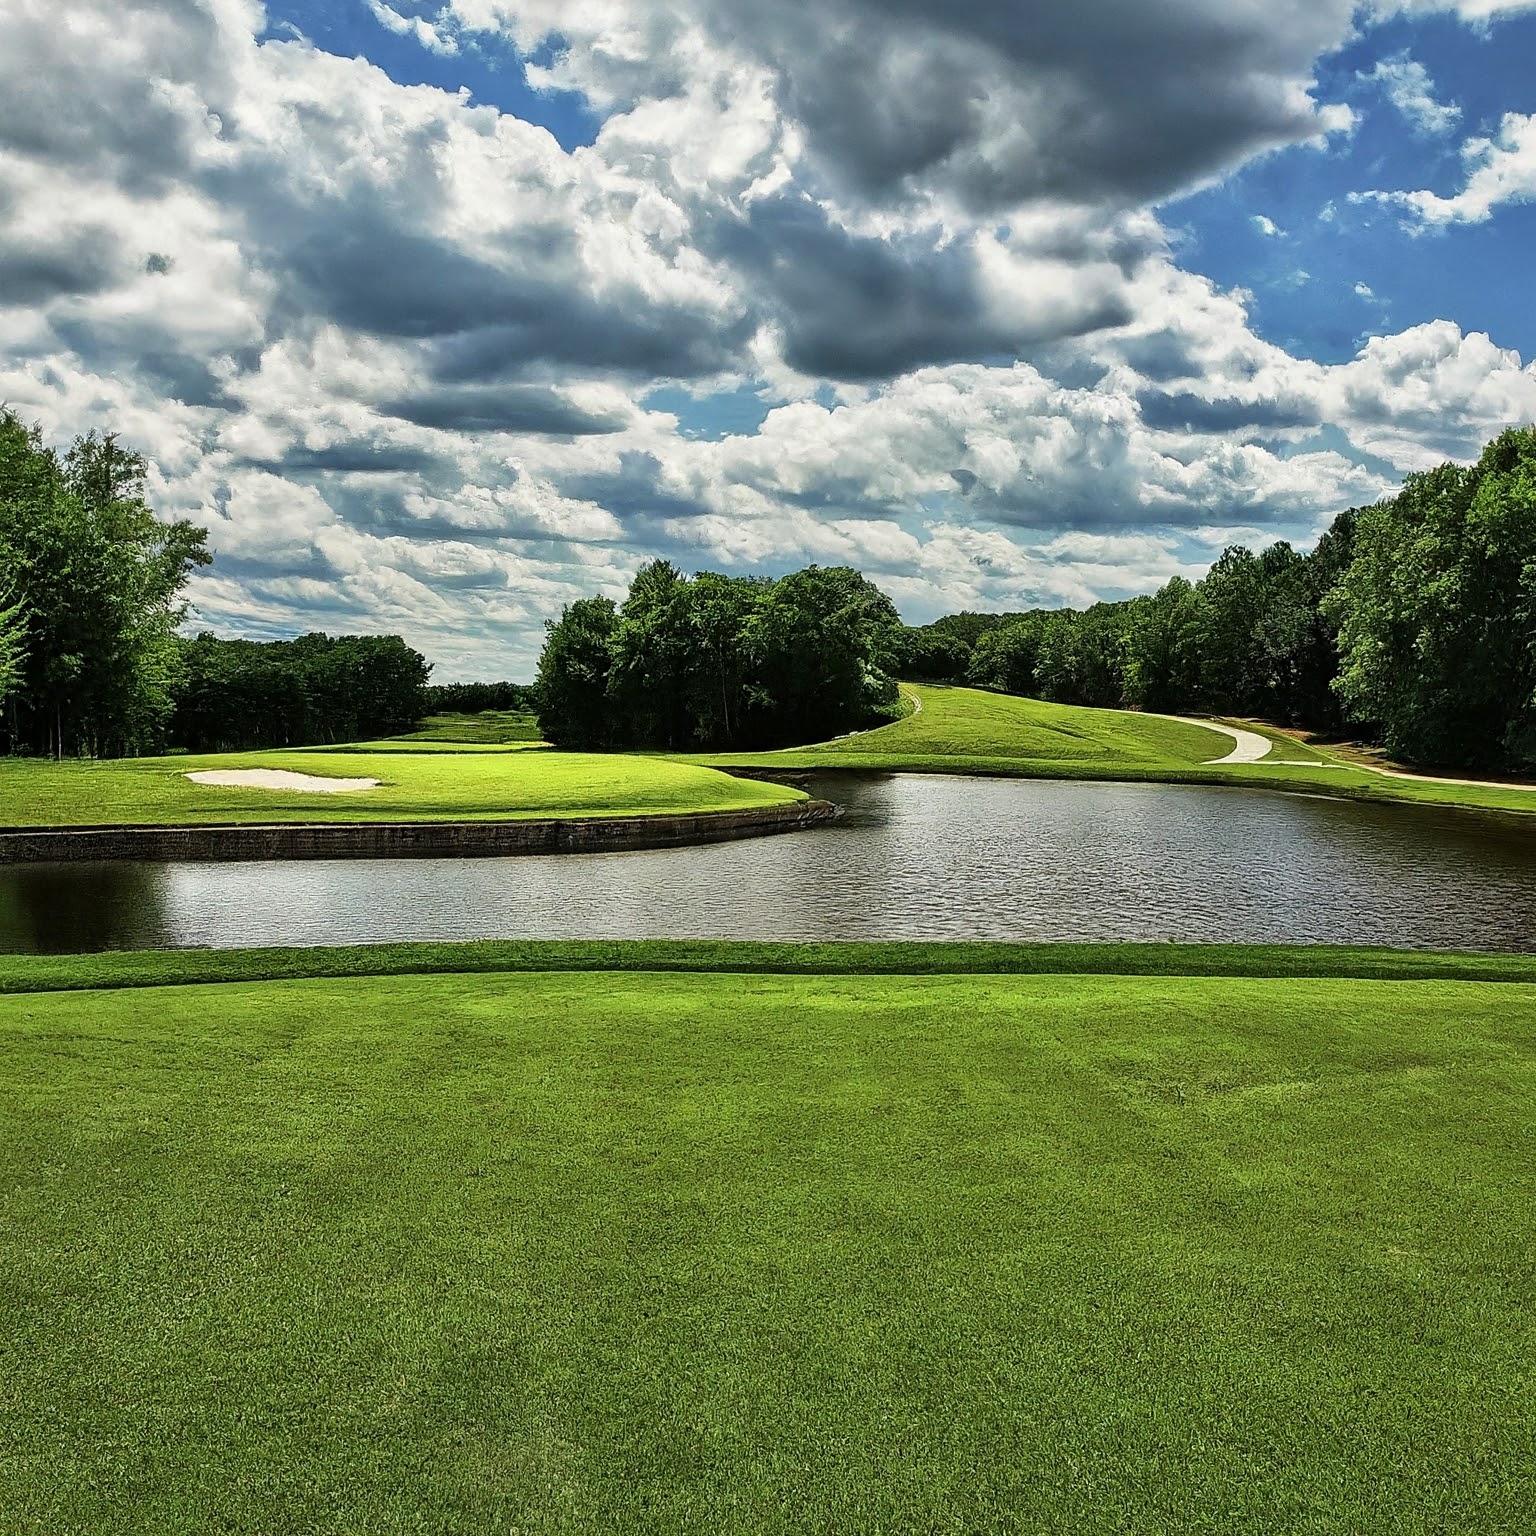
pixel 720 1253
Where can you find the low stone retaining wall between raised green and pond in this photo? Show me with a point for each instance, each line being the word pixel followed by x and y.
pixel 405 839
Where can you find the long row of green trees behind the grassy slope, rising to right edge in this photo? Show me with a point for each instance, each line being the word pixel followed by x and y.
pixel 1412 623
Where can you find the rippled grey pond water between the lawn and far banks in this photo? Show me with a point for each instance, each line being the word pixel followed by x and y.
pixel 915 858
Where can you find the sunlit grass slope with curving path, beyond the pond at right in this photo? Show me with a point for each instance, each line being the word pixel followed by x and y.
pixel 965 730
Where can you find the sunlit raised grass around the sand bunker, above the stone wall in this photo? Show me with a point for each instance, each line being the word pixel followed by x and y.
pixel 432 784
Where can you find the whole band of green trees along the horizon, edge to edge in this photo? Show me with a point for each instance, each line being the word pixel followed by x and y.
pixel 1412 623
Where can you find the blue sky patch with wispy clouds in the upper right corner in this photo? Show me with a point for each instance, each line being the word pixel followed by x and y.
pixel 1472 274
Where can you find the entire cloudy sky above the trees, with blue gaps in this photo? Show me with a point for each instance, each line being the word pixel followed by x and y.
pixel 443 316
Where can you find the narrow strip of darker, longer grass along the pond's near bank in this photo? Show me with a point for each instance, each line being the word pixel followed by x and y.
pixel 25 975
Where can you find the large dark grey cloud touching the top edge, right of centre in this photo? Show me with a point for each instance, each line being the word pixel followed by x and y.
pixel 1102 101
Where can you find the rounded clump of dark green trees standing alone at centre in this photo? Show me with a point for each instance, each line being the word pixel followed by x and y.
pixel 720 661
